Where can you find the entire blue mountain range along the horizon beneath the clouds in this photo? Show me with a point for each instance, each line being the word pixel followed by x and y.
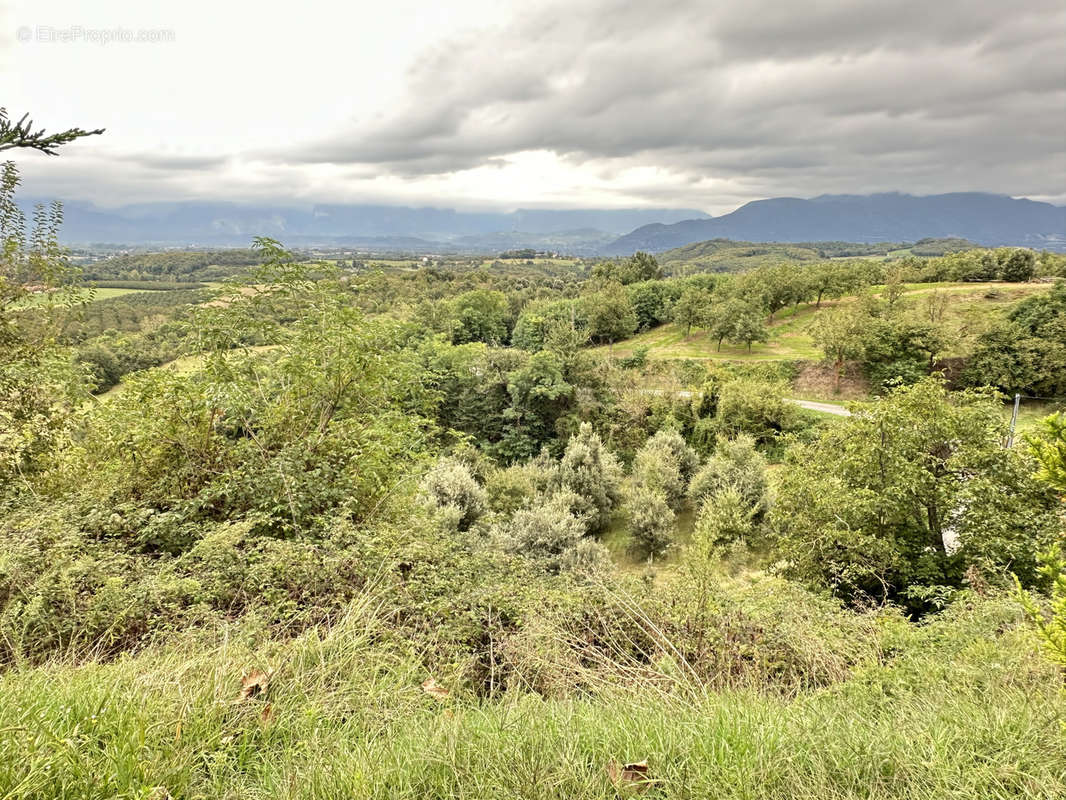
pixel 986 219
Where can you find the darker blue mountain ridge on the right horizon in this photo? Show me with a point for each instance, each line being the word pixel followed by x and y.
pixel 987 219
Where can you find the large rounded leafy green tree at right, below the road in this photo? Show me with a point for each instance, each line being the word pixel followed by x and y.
pixel 898 502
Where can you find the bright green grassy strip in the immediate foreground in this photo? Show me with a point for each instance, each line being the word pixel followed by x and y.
pixel 960 708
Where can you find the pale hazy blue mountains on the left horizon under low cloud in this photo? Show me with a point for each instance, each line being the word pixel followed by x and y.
pixel 229 223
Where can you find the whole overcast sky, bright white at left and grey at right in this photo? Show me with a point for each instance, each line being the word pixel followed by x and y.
pixel 499 104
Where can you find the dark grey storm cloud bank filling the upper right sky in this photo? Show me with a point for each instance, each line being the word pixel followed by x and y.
pixel 832 97
